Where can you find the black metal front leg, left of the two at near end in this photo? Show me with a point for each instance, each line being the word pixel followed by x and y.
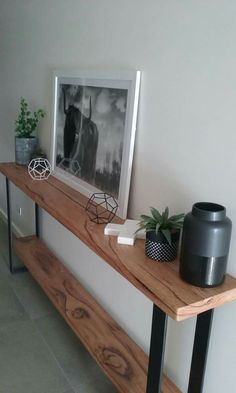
pixel 157 349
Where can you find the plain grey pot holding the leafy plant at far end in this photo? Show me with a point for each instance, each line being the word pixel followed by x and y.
pixel 24 149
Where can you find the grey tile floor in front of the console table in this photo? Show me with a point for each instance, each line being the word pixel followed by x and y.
pixel 38 351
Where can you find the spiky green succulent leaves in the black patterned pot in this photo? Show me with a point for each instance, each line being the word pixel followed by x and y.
pixel 161 222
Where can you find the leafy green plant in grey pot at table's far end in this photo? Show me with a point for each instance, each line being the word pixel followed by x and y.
pixel 26 124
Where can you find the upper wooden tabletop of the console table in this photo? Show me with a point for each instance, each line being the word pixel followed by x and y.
pixel 159 282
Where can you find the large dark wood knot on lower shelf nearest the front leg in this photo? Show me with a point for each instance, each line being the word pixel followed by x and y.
pixel 116 361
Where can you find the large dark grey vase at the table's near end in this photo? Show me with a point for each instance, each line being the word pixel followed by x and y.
pixel 205 245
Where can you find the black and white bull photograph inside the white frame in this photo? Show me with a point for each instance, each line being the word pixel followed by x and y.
pixel 90 125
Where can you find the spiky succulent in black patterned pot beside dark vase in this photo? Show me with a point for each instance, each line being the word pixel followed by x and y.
pixel 162 234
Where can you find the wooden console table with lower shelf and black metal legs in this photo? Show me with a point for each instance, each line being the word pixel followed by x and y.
pixel 127 366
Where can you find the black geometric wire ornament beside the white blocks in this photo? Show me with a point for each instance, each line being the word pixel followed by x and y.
pixel 101 208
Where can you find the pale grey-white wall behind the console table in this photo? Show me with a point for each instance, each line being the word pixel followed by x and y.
pixel 186 138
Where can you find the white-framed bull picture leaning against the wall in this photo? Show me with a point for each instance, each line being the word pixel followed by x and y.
pixel 94 130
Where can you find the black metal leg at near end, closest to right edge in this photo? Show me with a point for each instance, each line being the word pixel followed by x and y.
pixel 200 349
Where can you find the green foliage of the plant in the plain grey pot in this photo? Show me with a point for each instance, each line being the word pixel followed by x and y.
pixel 27 122
